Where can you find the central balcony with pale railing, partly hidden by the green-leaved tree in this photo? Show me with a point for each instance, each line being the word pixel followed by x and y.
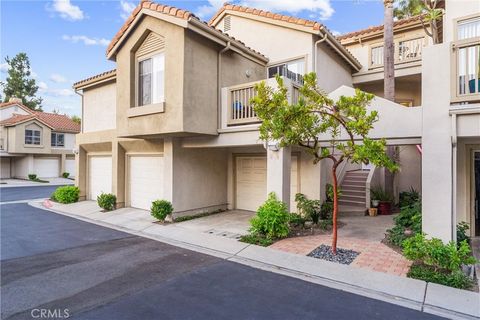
pixel 237 110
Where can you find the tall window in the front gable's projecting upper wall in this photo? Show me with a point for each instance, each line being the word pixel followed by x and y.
pixel 151 80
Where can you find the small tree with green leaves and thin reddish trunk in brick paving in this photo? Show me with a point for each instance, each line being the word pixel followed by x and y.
pixel 315 115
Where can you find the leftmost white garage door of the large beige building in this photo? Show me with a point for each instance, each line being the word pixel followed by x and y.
pixel 99 176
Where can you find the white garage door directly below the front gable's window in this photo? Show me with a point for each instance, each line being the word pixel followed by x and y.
pixel 146 180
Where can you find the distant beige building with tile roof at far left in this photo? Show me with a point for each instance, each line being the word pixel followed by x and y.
pixel 33 142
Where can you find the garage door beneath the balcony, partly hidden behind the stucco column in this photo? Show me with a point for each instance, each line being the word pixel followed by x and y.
pixel 251 190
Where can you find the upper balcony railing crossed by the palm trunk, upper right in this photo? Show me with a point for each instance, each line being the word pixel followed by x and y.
pixel 405 51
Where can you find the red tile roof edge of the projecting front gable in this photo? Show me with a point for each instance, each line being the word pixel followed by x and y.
pixel 167 10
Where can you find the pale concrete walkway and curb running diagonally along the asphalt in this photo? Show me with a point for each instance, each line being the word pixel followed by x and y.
pixel 415 294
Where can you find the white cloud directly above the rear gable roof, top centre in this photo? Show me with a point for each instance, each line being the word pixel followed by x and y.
pixel 318 9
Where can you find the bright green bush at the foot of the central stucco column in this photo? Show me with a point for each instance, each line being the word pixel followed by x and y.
pixel 272 219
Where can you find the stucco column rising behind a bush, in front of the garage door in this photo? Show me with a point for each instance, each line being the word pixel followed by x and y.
pixel 278 173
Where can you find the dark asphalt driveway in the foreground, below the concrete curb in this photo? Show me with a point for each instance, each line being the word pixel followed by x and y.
pixel 58 263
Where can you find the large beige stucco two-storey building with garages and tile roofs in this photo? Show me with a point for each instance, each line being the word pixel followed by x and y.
pixel 174 122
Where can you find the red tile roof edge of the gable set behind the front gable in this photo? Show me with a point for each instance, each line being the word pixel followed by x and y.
pixel 267 14
